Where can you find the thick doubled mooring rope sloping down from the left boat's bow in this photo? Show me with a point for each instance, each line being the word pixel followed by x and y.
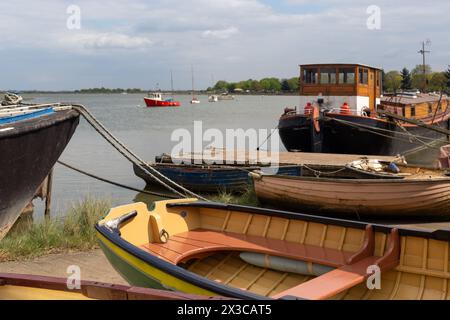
pixel 132 157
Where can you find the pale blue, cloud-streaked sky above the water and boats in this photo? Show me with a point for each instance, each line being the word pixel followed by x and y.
pixel 67 45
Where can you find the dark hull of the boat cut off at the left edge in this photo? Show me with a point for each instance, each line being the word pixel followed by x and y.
pixel 28 152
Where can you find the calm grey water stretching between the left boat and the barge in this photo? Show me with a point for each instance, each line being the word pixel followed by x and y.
pixel 147 131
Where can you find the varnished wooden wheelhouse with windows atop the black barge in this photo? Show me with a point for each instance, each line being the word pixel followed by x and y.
pixel 333 85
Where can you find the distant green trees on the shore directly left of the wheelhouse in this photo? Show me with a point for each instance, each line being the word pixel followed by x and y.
pixel 266 85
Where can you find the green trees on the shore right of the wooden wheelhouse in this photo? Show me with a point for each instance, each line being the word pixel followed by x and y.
pixel 394 81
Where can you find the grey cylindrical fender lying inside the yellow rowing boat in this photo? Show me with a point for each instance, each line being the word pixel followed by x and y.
pixel 284 264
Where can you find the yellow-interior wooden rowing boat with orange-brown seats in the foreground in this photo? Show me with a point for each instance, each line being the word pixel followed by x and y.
pixel 255 253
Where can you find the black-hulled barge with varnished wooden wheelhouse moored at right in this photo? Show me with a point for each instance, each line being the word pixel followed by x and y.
pixel 338 113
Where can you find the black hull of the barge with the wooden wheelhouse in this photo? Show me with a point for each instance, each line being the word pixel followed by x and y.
pixel 347 134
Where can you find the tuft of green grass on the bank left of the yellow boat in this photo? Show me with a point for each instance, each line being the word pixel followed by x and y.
pixel 73 232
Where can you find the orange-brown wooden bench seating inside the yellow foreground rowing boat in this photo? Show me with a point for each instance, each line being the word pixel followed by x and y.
pixel 351 266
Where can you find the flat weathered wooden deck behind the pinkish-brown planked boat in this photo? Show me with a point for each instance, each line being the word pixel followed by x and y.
pixel 223 156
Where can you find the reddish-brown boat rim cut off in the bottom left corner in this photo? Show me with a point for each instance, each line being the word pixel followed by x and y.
pixel 31 287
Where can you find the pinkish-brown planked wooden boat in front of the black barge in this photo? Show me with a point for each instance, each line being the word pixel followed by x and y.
pixel 420 193
